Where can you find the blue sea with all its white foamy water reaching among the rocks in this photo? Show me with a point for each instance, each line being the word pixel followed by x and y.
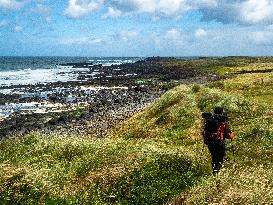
pixel 16 71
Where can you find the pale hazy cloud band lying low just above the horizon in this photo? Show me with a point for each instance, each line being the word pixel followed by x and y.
pixel 220 40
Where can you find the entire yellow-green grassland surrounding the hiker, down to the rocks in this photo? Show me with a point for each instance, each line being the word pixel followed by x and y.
pixel 154 157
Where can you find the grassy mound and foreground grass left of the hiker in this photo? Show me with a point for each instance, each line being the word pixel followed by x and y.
pixel 145 166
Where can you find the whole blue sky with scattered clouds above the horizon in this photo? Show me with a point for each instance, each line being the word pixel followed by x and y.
pixel 136 27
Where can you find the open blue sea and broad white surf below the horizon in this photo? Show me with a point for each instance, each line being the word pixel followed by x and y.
pixel 32 70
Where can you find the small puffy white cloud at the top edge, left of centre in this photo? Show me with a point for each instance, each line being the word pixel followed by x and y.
pixel 78 8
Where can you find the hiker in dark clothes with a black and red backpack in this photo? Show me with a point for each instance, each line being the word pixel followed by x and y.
pixel 215 132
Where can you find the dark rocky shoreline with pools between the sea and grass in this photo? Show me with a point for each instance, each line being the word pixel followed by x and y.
pixel 99 99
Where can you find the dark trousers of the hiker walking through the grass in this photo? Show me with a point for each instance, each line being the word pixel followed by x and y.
pixel 217 151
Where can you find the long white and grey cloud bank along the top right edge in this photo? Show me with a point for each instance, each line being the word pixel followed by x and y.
pixel 226 11
